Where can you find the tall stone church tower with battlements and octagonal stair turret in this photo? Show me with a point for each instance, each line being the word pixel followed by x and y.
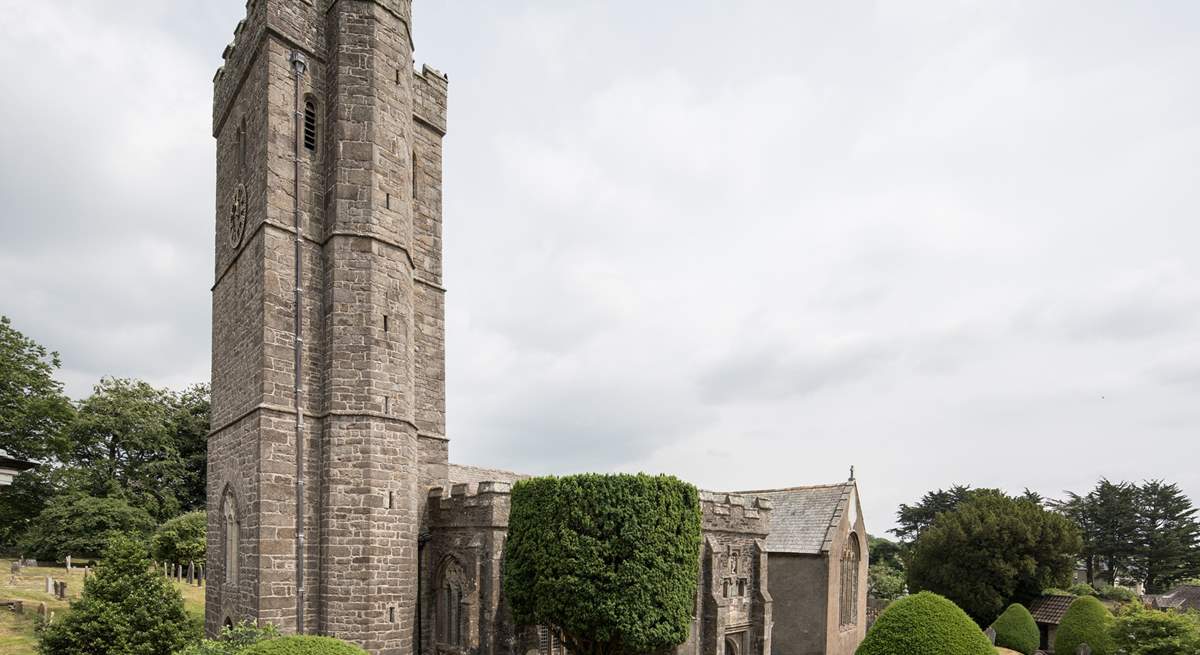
pixel 328 329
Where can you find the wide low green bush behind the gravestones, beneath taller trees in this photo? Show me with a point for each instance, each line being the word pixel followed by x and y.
pixel 82 526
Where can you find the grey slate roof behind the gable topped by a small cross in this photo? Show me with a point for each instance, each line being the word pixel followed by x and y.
pixel 802 519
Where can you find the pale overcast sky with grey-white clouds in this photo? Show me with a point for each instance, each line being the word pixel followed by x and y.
pixel 751 244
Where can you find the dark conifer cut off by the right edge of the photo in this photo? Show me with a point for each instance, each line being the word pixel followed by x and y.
pixel 1168 537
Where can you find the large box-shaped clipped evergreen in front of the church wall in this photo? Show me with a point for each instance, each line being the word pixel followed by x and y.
pixel 611 561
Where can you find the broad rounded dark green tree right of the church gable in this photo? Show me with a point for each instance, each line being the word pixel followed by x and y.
pixel 993 551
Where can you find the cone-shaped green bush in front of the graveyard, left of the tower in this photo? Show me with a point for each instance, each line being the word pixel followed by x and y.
pixel 127 609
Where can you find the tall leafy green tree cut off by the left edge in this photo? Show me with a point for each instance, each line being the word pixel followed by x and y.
pixel 33 408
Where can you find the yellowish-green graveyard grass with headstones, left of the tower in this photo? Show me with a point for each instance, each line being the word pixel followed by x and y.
pixel 17 632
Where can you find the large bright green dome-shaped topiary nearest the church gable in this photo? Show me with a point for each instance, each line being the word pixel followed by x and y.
pixel 927 624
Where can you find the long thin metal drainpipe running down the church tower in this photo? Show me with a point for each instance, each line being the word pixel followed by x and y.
pixel 298 67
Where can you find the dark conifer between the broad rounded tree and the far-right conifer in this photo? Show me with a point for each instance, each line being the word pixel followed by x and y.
pixel 1108 520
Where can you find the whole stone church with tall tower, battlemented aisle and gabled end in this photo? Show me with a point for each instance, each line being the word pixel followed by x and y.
pixel 333 504
